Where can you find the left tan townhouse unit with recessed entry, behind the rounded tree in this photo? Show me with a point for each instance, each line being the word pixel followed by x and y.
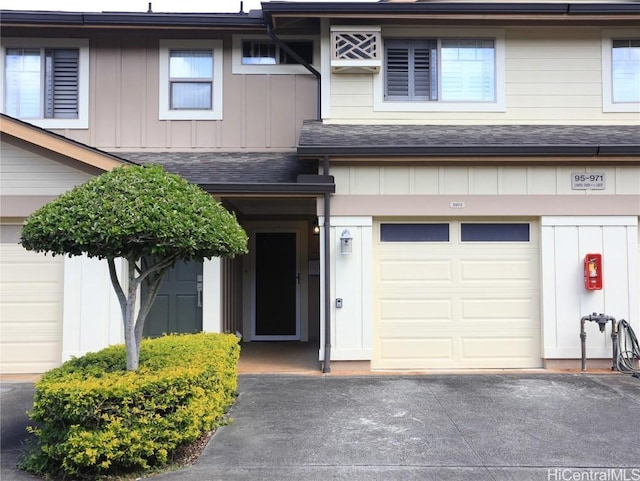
pixel 211 97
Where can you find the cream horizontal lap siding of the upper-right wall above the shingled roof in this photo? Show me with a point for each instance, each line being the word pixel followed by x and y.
pixel 553 75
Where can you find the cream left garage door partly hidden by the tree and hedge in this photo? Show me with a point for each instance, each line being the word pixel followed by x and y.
pixel 31 296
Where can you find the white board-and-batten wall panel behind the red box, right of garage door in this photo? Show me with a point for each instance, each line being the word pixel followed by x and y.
pixel 565 242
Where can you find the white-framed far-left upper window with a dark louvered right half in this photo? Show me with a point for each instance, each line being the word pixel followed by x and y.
pixel 45 81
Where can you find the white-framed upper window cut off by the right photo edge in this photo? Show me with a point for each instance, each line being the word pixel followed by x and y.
pixel 621 71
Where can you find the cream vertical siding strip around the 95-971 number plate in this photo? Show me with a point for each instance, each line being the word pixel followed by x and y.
pixel 372 180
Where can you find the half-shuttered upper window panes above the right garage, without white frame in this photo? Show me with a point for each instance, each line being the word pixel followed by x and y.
pixel 446 70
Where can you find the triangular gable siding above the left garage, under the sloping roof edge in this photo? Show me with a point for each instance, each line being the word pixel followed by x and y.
pixel 25 173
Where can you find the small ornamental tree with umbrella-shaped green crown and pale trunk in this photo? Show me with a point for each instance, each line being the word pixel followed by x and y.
pixel 148 217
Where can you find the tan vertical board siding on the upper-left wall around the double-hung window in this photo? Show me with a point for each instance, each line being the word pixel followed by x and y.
pixel 260 112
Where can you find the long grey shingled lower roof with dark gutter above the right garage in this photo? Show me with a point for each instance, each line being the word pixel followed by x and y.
pixel 491 142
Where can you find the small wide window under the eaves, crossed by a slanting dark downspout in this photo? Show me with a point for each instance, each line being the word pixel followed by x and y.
pixel 258 54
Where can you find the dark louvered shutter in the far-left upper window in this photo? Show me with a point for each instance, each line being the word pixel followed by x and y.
pixel 61 83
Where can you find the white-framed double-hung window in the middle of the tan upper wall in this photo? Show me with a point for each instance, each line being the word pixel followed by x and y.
pixel 190 80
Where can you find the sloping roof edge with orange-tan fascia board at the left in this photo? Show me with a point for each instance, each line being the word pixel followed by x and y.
pixel 50 141
